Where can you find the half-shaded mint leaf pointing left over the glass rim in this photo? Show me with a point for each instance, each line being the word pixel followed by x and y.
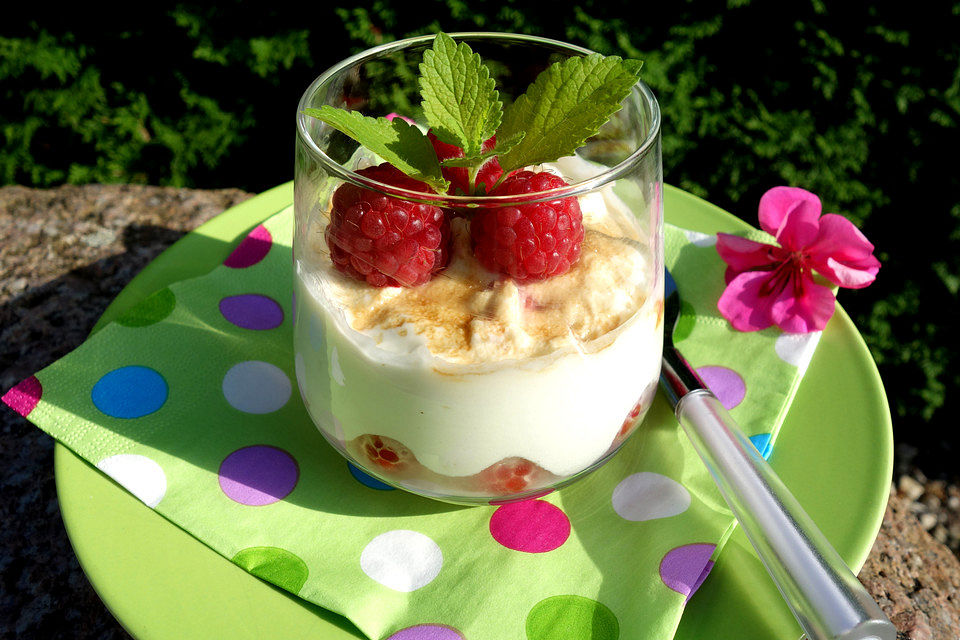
pixel 402 145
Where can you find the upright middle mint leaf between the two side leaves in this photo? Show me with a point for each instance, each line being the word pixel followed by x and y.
pixel 460 100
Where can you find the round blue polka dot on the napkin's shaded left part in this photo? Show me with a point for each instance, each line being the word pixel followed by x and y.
pixel 129 392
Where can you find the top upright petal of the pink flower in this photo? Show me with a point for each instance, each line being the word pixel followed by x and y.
pixel 791 216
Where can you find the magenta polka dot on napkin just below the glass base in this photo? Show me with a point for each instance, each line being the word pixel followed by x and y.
pixel 533 526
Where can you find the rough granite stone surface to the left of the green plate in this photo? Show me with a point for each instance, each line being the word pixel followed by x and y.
pixel 64 255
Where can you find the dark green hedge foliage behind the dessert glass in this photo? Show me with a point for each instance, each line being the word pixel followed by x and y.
pixel 858 102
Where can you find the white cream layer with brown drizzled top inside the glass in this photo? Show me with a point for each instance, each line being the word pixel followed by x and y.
pixel 473 368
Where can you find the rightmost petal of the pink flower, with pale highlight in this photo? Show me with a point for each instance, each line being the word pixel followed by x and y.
pixel 842 254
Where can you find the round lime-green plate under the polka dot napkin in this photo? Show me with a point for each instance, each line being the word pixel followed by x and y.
pixel 835 452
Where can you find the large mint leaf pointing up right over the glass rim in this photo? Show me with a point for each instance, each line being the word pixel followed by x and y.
pixel 565 105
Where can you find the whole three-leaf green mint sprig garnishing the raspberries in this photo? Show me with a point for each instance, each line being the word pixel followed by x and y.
pixel 565 105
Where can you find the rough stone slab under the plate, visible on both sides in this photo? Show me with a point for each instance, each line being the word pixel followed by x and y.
pixel 65 253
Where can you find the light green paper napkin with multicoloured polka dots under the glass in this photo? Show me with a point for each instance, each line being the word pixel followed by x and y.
pixel 188 401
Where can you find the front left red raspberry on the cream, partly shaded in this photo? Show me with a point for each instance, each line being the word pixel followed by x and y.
pixel 387 241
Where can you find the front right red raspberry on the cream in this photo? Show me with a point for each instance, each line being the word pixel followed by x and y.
pixel 529 241
